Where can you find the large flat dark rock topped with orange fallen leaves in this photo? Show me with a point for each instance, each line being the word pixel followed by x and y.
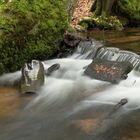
pixel 106 70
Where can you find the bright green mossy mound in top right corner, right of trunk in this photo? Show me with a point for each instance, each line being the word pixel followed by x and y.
pixel 130 9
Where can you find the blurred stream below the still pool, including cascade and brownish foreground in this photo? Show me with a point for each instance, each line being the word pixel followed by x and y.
pixel 70 105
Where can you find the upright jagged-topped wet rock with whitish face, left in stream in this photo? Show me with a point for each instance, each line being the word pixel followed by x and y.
pixel 32 77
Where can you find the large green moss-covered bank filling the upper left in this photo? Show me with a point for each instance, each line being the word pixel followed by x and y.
pixel 30 29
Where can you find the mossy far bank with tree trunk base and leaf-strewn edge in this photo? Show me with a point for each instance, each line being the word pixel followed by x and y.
pixel 113 14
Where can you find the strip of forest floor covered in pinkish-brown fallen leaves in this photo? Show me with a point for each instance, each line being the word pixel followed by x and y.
pixel 82 10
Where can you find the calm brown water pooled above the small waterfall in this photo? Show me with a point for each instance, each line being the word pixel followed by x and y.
pixel 128 39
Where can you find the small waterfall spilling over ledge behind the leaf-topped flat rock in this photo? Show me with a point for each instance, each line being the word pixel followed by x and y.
pixel 91 49
